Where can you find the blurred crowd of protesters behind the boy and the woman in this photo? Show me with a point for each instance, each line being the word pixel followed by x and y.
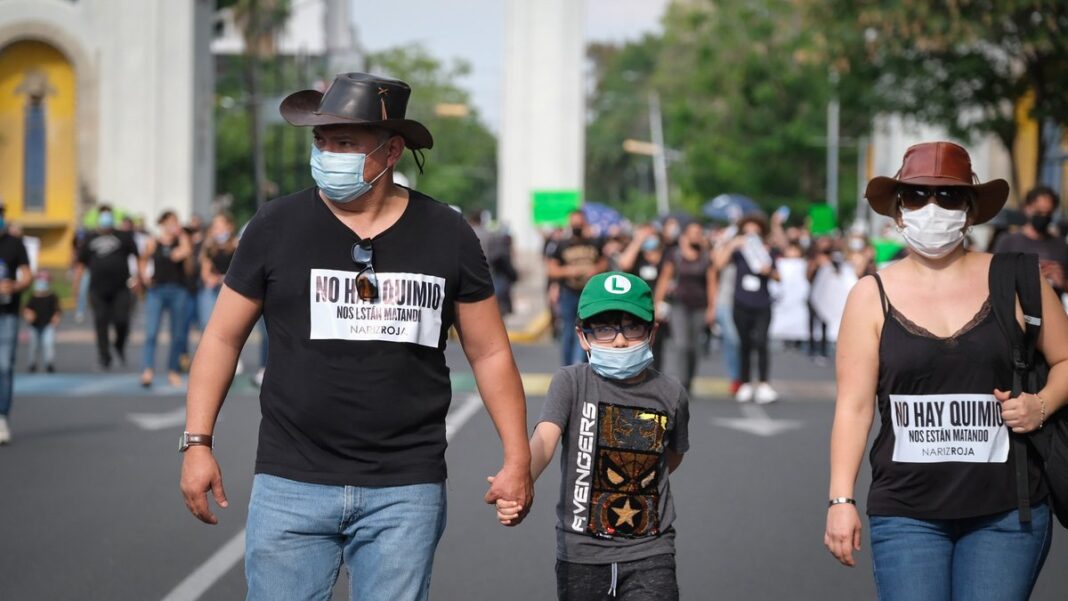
pixel 721 283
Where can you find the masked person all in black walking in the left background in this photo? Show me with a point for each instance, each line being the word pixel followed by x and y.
pixel 105 260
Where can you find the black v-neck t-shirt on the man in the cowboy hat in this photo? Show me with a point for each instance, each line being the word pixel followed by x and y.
pixel 356 392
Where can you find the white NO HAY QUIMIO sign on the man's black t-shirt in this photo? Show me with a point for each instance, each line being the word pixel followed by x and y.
pixel 409 308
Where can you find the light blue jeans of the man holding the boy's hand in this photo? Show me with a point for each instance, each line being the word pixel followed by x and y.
pixel 300 534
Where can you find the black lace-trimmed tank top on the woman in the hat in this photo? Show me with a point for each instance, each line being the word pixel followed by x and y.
pixel 943 451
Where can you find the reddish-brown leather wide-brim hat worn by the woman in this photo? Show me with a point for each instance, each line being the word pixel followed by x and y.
pixel 938 164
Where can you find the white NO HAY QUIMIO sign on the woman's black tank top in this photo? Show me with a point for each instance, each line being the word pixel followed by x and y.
pixel 938 429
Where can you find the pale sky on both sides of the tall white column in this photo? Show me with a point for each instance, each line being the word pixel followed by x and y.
pixel 474 30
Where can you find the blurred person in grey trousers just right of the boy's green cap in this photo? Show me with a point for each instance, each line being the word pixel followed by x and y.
pixel 686 288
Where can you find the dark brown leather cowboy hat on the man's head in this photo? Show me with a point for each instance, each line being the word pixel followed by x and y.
pixel 358 99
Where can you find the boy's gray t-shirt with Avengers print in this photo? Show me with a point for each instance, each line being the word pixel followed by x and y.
pixel 616 502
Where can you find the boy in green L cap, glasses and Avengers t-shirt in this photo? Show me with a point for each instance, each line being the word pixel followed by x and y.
pixel 616 533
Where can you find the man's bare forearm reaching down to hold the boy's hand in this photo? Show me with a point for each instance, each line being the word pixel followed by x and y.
pixel 502 392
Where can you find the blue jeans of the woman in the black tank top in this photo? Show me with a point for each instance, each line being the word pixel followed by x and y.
pixel 967 560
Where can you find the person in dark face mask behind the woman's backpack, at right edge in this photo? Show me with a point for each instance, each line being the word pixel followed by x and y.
pixel 1038 238
